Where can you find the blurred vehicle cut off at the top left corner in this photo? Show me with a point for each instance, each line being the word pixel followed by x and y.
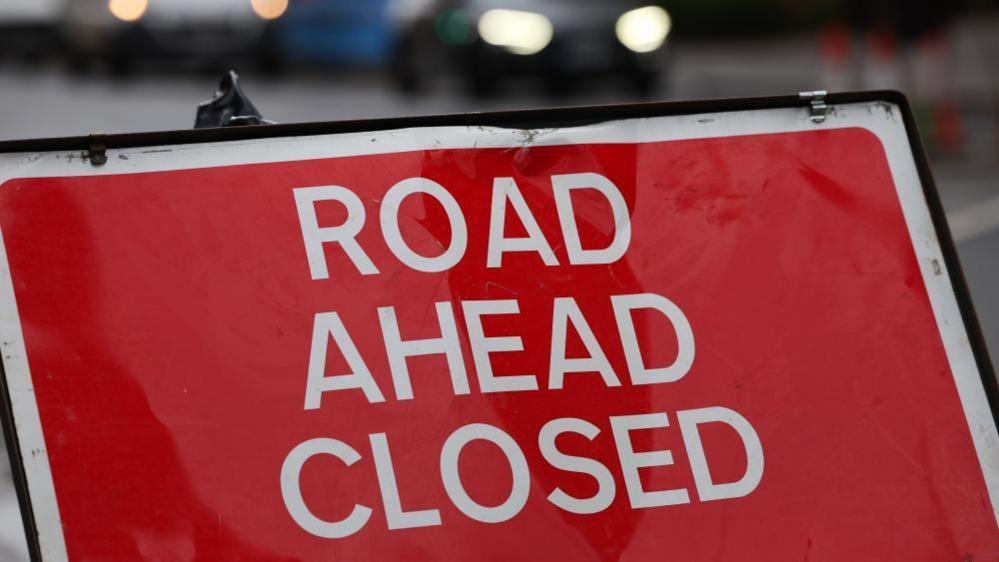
pixel 28 27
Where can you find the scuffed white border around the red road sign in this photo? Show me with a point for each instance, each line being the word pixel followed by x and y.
pixel 883 119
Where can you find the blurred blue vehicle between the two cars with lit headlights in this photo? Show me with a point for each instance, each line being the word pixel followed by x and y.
pixel 341 32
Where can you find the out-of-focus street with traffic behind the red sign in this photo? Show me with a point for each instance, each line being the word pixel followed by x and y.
pixel 71 67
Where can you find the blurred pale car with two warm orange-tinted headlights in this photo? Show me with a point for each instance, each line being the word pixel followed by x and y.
pixel 122 33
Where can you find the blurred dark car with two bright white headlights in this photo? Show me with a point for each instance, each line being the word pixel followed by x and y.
pixel 558 41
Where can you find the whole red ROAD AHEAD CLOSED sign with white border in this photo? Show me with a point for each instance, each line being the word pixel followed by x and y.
pixel 708 331
